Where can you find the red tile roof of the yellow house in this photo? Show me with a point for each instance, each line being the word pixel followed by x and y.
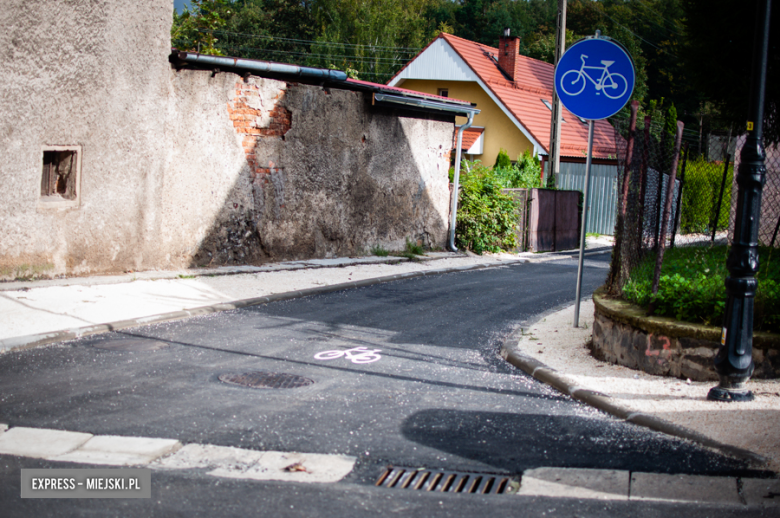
pixel 523 98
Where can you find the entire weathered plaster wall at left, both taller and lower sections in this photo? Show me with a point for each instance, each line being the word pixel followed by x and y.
pixel 179 168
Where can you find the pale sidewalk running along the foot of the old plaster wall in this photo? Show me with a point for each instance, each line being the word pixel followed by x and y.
pixel 38 312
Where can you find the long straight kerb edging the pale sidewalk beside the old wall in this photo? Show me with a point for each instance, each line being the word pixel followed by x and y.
pixel 39 340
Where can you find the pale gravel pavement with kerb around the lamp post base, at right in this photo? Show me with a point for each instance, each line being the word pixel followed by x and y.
pixel 554 353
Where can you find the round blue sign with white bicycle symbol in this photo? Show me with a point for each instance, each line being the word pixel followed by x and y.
pixel 594 78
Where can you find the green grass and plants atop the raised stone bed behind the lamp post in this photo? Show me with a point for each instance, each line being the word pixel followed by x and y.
pixel 692 289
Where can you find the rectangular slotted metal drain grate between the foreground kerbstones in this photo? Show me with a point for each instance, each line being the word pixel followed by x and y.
pixel 447 481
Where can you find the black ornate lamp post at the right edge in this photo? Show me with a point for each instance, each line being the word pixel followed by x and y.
pixel 734 361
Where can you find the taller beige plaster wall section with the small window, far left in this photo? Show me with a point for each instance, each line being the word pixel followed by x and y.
pixel 91 73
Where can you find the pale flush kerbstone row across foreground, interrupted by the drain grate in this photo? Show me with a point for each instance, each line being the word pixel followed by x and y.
pixel 238 463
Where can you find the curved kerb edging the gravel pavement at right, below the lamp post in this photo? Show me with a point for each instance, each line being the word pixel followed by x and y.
pixel 545 374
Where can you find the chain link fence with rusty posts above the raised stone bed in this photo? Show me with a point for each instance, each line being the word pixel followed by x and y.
pixel 703 198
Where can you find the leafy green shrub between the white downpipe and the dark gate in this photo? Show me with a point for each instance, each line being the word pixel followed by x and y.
pixel 486 216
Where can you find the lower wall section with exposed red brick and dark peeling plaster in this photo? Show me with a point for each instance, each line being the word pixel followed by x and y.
pixel 302 171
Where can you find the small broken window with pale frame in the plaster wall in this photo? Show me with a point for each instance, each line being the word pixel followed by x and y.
pixel 60 176
